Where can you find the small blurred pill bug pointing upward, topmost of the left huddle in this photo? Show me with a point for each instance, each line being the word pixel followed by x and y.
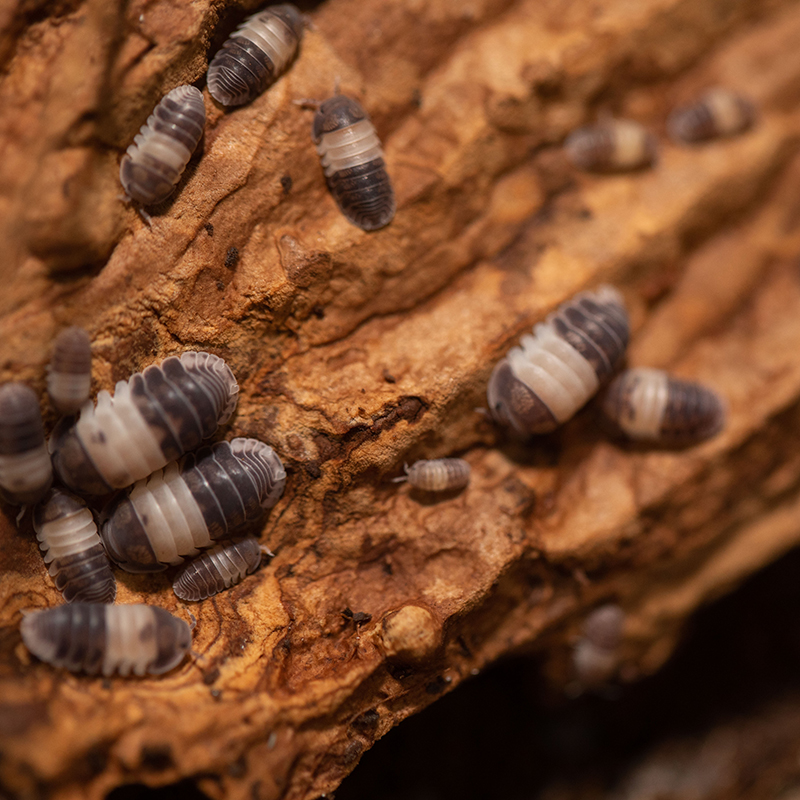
pixel 69 374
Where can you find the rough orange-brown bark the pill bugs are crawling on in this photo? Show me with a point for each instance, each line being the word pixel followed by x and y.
pixel 356 352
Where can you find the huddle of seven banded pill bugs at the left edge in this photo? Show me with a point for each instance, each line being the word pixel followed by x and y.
pixel 177 502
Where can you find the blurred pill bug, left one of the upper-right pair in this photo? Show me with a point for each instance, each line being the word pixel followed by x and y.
pixel 611 146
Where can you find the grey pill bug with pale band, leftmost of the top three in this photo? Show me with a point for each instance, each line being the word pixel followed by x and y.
pixel 154 163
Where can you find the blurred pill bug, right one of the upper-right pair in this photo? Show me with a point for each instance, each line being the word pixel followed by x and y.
pixel 719 112
